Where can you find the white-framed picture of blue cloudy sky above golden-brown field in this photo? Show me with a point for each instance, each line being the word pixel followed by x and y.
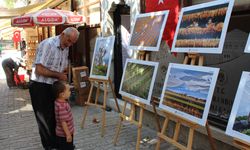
pixel 188 91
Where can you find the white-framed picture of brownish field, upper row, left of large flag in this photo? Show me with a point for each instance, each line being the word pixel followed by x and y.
pixel 147 31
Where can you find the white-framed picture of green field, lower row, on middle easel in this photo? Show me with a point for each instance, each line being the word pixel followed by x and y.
pixel 138 80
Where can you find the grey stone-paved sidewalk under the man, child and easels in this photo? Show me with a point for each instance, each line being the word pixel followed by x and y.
pixel 18 128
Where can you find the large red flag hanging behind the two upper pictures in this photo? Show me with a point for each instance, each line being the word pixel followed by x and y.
pixel 173 6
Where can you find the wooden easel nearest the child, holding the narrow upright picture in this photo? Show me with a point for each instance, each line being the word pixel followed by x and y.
pixel 103 106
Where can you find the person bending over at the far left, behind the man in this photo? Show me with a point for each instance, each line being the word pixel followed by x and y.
pixel 10 67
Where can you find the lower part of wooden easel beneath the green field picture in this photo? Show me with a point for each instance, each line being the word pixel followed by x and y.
pixel 131 118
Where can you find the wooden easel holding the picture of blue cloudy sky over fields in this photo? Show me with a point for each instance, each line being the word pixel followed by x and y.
pixel 189 59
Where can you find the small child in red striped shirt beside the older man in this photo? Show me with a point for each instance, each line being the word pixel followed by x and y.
pixel 63 115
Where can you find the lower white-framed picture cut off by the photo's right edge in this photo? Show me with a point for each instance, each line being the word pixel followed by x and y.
pixel 239 122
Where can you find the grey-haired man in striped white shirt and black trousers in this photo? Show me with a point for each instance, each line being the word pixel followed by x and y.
pixel 49 66
